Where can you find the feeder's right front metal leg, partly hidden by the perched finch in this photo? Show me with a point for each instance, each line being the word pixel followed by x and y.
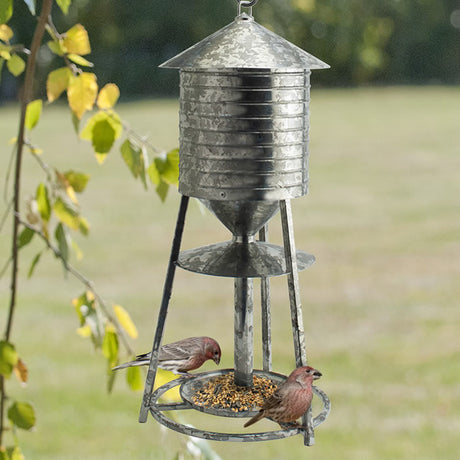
pixel 296 307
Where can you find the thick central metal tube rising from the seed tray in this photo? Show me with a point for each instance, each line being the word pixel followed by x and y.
pixel 244 331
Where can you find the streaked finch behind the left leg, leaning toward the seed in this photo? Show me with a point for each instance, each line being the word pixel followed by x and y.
pixel 181 356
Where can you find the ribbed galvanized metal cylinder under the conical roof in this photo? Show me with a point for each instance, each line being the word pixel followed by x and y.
pixel 244 134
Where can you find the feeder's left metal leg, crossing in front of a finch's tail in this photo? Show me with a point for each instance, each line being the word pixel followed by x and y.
pixel 167 289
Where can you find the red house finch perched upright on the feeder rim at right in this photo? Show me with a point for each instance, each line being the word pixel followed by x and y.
pixel 291 399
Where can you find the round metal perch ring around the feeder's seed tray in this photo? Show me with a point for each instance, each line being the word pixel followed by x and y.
pixel 156 411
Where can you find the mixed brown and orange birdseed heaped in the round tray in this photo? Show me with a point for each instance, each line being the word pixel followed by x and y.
pixel 221 393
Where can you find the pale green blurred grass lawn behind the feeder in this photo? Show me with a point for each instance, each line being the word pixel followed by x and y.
pixel 381 309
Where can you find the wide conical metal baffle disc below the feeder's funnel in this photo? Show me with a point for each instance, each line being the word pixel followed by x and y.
pixel 252 259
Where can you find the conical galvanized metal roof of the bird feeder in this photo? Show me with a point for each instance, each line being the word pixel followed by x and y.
pixel 244 44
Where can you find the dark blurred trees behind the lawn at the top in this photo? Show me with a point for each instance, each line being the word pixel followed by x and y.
pixel 364 41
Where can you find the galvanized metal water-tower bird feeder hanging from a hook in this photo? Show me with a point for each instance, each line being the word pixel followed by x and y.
pixel 244 132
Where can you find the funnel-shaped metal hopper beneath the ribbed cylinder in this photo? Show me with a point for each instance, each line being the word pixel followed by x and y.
pixel 243 218
